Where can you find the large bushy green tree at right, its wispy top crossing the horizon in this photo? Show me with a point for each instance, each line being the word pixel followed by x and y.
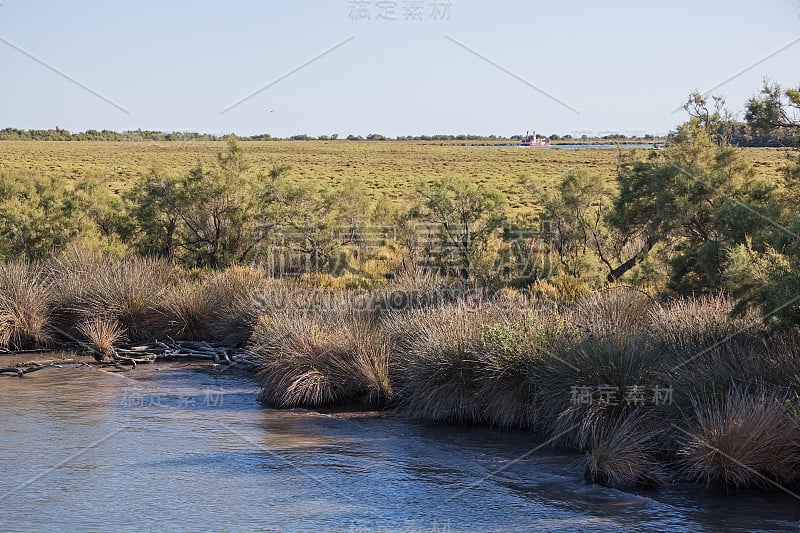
pixel 694 197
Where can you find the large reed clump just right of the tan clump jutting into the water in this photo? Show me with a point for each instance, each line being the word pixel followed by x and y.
pixel 456 363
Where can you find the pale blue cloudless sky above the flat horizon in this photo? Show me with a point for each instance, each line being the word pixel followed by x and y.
pixel 621 65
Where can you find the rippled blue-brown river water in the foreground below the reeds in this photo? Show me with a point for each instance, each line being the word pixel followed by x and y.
pixel 182 449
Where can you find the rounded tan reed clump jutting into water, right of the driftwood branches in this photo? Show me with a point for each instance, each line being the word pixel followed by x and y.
pixel 325 357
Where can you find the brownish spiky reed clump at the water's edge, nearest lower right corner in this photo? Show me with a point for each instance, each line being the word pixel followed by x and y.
pixel 745 438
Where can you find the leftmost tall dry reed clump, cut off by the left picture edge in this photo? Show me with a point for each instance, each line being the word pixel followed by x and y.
pixel 26 305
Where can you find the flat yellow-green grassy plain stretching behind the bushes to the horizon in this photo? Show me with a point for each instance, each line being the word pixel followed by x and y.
pixel 390 169
